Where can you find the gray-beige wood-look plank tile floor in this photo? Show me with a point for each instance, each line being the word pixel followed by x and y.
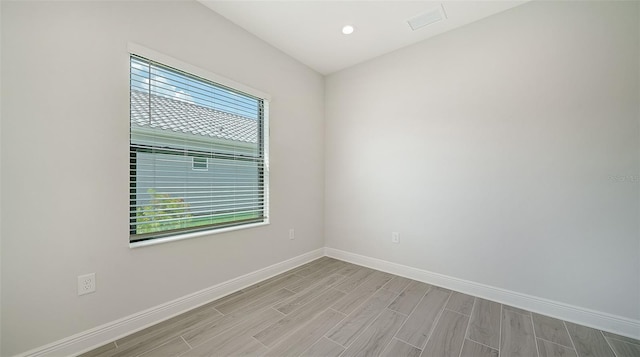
pixel 332 308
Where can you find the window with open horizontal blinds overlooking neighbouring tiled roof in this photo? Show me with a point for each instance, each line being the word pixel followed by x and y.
pixel 198 154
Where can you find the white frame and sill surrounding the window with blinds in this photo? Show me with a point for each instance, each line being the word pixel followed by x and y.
pixel 139 50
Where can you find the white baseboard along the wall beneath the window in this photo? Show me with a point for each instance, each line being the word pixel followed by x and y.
pixel 96 337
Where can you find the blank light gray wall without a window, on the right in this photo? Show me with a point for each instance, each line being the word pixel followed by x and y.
pixel 505 153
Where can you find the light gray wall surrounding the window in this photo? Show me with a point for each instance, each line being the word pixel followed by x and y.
pixel 65 162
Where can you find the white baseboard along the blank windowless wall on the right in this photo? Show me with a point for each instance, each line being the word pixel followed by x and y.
pixel 595 319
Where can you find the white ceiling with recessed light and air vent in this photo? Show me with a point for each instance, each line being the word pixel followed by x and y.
pixel 310 31
